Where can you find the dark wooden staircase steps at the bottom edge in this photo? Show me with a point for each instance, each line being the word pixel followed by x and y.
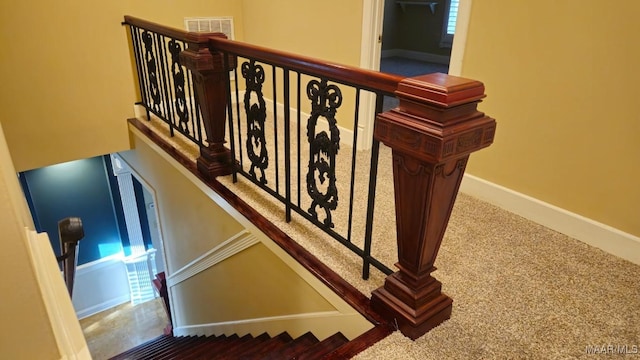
pixel 282 346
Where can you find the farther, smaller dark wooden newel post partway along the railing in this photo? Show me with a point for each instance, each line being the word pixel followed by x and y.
pixel 209 79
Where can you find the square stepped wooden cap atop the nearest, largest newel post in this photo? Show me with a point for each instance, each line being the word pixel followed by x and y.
pixel 437 118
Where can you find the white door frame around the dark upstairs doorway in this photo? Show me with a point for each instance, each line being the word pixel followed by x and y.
pixel 371 49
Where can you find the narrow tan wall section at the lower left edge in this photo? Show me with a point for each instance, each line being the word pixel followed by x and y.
pixel 27 333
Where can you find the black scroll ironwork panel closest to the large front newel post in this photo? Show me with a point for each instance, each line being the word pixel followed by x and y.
pixel 323 148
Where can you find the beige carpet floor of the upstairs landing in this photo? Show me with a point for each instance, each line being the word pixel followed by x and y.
pixel 520 290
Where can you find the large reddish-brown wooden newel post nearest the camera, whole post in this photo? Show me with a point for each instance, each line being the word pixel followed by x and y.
pixel 432 132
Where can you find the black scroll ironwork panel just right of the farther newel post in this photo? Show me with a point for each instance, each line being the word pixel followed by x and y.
pixel 256 117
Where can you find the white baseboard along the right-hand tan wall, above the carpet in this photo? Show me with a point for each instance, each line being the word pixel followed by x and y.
pixel 591 232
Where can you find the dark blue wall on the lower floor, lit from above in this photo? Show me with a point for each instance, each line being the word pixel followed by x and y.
pixel 78 188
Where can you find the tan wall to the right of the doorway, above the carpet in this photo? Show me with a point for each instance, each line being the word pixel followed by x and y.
pixel 561 79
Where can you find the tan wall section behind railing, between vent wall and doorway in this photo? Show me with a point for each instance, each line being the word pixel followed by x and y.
pixel 327 30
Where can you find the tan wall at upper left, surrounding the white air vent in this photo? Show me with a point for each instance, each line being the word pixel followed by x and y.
pixel 67 75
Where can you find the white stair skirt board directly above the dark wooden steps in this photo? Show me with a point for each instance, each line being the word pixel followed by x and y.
pixel 322 325
